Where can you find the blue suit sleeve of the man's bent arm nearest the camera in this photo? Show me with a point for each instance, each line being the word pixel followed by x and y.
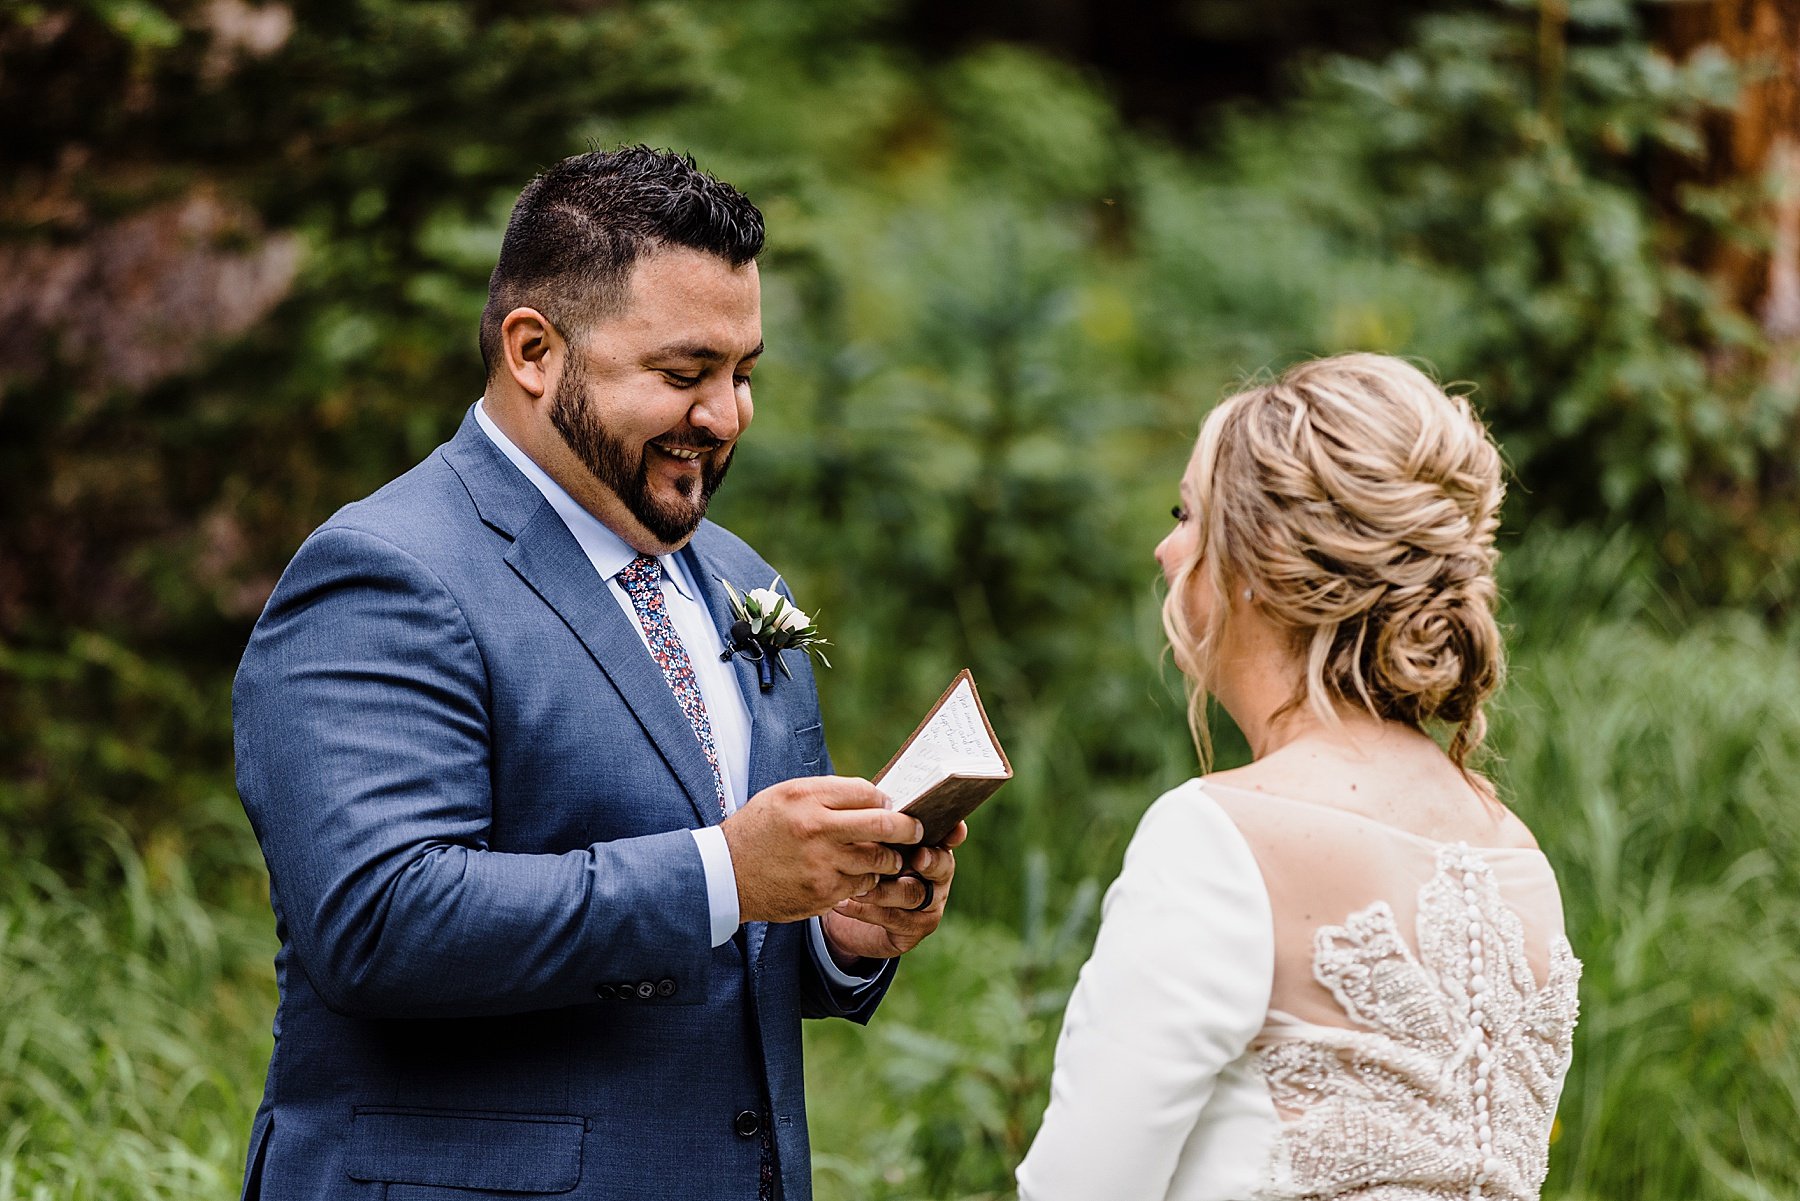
pixel 363 761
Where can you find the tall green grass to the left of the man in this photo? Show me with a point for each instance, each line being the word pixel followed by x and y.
pixel 134 1016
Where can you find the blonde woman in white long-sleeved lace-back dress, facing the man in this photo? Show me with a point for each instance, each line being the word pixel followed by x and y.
pixel 1338 971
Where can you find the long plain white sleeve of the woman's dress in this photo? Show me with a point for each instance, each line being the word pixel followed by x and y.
pixel 1176 989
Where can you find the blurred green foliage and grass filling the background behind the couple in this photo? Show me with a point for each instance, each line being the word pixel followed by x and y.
pixel 996 316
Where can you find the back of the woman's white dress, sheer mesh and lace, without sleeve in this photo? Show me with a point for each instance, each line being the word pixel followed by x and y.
pixel 1421 1011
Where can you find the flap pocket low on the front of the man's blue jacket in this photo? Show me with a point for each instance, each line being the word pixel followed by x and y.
pixel 467 1150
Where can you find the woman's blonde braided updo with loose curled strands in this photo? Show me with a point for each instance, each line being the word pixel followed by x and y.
pixel 1358 503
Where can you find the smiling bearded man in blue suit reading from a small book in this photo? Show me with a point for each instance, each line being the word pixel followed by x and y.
pixel 555 883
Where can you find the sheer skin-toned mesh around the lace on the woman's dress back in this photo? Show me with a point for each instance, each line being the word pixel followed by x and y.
pixel 1324 863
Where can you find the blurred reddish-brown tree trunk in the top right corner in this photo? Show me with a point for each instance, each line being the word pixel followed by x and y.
pixel 1754 150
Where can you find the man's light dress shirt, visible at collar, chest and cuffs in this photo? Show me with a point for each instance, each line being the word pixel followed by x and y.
pixel 719 683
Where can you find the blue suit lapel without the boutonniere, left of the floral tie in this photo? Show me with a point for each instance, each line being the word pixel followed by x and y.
pixel 552 563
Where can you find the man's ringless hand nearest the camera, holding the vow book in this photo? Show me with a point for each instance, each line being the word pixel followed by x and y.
pixel 804 845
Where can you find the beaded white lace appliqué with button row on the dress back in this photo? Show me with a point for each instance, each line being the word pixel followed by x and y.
pixel 1450 1081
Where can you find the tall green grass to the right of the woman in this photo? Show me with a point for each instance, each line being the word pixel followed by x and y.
pixel 1662 775
